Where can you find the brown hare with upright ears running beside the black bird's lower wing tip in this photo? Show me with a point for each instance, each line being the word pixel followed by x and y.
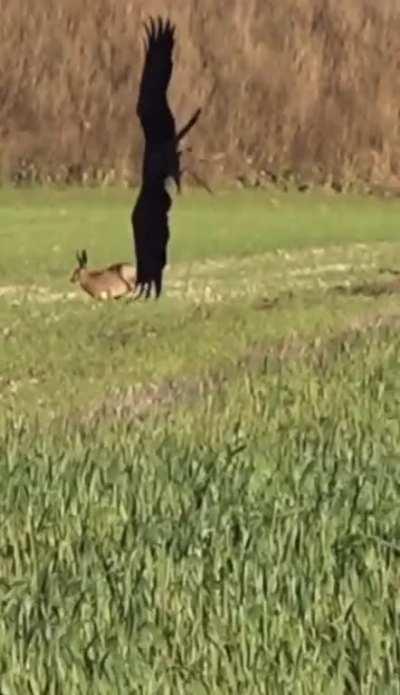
pixel 118 280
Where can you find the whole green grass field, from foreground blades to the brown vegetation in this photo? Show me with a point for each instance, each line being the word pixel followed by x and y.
pixel 201 495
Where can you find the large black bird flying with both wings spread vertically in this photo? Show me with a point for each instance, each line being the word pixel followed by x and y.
pixel 162 158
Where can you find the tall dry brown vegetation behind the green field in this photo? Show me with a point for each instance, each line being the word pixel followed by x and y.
pixel 310 87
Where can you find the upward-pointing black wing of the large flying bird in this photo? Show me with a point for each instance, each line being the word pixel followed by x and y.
pixel 152 108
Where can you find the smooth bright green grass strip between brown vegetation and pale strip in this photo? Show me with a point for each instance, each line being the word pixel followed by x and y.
pixel 41 229
